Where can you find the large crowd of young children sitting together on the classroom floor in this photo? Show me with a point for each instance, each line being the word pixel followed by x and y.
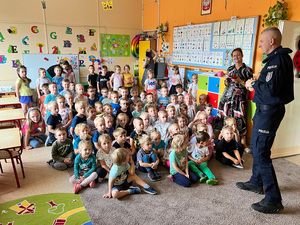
pixel 108 134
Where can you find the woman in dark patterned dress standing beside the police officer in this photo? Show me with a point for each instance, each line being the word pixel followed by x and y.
pixel 234 98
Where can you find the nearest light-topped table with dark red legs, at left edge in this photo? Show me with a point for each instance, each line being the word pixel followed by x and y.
pixel 11 139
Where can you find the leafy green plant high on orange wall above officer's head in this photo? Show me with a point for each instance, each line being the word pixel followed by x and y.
pixel 275 13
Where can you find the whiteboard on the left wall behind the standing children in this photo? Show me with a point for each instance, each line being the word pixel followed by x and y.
pixel 35 61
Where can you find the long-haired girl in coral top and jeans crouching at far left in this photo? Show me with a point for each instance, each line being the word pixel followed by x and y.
pixel 34 128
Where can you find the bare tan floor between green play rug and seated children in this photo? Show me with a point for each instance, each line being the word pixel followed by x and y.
pixel 43 179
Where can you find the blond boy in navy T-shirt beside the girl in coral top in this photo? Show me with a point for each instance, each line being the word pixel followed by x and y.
pixel 53 121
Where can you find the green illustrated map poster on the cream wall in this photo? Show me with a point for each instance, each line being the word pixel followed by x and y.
pixel 115 45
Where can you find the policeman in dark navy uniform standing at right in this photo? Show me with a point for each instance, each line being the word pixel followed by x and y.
pixel 273 89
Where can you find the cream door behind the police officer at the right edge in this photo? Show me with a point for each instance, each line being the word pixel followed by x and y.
pixel 287 141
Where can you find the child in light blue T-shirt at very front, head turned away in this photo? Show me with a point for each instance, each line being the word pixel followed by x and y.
pixel 122 174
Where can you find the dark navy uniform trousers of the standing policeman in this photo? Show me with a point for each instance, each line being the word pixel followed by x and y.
pixel 265 125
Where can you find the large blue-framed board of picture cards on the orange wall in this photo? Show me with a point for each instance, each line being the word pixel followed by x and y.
pixel 210 44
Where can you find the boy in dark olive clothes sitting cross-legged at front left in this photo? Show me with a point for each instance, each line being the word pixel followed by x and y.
pixel 62 150
